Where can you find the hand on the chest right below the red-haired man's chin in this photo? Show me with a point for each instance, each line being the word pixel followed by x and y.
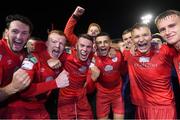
pixel 54 63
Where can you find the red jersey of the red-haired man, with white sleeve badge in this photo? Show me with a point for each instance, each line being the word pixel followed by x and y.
pixel 42 79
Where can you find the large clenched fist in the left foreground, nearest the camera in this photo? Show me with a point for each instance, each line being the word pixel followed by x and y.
pixel 20 80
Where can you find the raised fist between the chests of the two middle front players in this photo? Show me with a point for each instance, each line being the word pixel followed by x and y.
pixel 95 72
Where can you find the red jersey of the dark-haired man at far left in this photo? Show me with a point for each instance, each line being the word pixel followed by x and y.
pixel 9 62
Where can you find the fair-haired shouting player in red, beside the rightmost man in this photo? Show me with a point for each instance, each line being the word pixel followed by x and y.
pixel 150 75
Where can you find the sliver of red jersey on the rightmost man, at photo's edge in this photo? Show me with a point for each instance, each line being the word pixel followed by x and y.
pixel 176 61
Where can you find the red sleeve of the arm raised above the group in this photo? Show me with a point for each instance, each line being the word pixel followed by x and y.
pixel 69 30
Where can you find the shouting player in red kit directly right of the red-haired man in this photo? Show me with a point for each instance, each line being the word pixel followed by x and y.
pixel 73 103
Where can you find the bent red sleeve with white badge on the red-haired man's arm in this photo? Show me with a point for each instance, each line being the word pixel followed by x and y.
pixel 31 65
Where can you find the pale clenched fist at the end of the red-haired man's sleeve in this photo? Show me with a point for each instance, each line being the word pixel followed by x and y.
pixel 63 79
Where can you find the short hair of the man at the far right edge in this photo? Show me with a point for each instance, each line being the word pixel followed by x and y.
pixel 165 14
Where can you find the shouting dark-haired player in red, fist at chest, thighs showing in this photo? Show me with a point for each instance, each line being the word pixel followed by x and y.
pixel 109 79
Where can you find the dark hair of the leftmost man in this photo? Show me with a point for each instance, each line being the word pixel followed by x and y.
pixel 23 19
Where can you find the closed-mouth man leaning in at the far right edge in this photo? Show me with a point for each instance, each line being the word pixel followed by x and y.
pixel 168 24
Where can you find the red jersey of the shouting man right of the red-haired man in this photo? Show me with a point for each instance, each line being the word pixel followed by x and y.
pixel 77 74
